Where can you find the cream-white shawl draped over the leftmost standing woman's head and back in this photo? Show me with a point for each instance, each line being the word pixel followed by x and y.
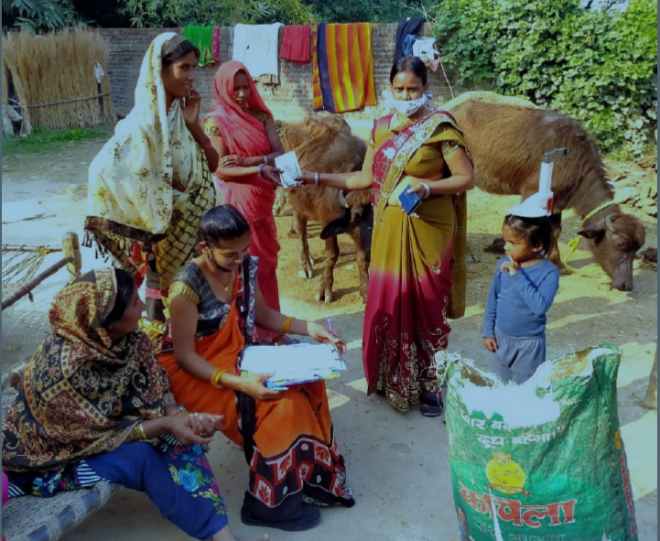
pixel 130 180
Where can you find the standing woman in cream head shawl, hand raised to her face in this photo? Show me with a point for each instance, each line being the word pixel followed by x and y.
pixel 152 182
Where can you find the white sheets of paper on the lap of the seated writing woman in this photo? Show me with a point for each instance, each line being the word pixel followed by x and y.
pixel 297 362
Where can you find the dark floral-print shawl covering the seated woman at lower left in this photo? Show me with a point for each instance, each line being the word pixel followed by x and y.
pixel 82 394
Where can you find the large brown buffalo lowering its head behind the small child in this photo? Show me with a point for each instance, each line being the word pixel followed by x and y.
pixel 507 143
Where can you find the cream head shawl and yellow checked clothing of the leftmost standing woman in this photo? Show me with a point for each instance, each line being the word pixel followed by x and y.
pixel 130 197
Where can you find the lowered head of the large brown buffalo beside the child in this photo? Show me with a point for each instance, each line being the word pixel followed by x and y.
pixel 614 239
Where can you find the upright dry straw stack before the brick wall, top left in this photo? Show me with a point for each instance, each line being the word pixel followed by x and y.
pixel 52 72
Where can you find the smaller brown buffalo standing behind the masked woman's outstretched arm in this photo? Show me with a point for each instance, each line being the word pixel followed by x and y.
pixel 325 144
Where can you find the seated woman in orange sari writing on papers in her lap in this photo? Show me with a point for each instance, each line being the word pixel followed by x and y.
pixel 287 436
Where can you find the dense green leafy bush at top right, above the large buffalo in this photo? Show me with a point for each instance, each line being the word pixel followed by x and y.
pixel 599 67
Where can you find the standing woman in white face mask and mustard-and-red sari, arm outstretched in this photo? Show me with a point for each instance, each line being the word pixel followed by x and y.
pixel 417 273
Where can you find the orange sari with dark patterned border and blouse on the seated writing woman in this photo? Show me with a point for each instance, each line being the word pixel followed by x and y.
pixel 289 442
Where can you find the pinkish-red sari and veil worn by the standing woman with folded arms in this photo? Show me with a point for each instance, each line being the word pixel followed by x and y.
pixel 246 136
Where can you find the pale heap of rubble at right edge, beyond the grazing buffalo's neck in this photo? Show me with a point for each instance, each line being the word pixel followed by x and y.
pixel 636 183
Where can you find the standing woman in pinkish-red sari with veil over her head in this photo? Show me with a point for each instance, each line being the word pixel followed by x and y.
pixel 242 131
